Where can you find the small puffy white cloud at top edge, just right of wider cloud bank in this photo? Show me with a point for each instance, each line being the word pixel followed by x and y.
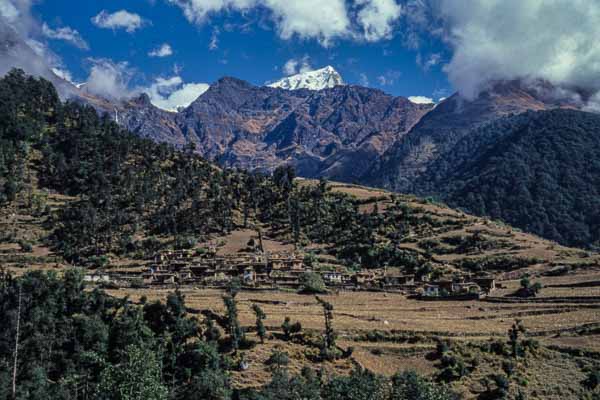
pixel 377 18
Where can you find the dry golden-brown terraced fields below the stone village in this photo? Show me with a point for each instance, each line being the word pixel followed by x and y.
pixel 390 332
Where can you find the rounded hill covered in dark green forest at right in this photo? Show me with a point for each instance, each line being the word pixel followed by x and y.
pixel 539 171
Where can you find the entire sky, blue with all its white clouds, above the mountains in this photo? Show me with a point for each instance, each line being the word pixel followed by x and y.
pixel 425 48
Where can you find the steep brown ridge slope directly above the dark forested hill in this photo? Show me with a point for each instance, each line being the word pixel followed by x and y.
pixel 453 119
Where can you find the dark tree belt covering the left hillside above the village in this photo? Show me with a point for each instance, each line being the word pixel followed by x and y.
pixel 130 191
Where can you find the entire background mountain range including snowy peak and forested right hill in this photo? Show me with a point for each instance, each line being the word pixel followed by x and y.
pixel 462 151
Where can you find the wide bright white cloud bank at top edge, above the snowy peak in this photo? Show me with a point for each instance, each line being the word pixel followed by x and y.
pixel 322 20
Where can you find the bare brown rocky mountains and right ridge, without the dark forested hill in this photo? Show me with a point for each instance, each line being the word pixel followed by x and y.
pixel 345 132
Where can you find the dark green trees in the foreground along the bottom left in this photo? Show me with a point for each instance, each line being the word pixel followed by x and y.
pixel 59 340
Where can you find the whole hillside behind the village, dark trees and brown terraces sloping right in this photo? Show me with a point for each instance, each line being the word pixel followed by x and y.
pixel 87 191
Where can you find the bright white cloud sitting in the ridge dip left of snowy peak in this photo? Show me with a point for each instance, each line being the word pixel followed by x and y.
pixel 172 93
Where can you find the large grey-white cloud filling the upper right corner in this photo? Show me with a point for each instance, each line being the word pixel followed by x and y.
pixel 553 40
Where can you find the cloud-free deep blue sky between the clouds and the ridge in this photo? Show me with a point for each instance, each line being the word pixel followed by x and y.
pixel 247 43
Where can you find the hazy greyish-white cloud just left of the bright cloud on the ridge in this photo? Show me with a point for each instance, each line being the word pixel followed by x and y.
pixel 109 79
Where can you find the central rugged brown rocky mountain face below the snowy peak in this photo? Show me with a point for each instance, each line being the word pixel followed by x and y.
pixel 337 132
